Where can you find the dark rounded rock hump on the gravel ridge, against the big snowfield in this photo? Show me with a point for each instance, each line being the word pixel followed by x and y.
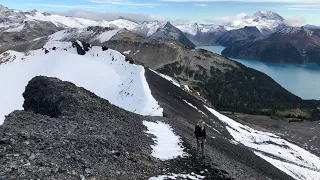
pixel 53 98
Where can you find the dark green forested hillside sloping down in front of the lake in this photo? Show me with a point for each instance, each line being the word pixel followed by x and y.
pixel 237 90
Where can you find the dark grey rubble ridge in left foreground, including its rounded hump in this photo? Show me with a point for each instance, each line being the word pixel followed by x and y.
pixel 85 138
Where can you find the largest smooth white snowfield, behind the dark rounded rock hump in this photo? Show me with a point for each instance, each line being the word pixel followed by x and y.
pixel 106 73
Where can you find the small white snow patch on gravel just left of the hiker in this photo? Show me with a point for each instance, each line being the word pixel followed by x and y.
pixel 167 144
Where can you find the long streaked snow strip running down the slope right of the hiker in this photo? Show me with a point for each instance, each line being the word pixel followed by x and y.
pixel 289 158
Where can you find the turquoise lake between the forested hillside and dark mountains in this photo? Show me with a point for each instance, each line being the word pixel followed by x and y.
pixel 301 80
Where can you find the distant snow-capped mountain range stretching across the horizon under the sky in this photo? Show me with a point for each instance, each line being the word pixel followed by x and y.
pixel 246 36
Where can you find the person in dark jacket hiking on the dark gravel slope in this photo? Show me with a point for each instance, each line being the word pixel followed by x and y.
pixel 200 132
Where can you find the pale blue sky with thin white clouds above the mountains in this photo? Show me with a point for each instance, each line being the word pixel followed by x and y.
pixel 307 11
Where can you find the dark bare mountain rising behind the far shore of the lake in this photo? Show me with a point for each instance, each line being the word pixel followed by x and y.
pixel 290 45
